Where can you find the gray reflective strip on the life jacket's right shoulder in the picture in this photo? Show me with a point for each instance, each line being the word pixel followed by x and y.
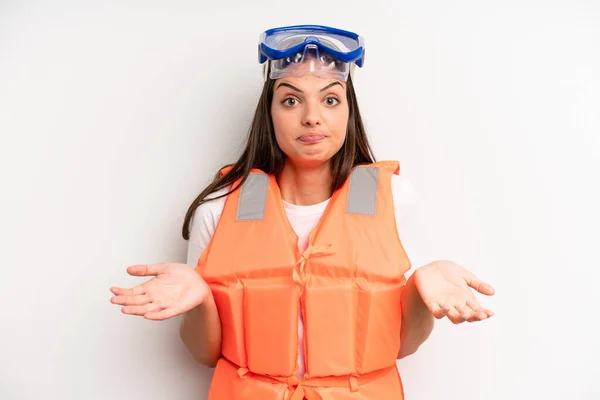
pixel 362 193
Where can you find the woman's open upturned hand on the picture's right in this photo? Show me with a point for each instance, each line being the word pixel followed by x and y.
pixel 446 289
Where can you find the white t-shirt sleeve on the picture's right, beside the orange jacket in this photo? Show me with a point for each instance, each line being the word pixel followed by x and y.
pixel 406 212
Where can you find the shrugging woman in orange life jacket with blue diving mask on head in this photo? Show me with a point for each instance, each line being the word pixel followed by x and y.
pixel 308 305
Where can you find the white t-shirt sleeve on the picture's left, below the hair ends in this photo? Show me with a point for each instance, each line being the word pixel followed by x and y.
pixel 203 225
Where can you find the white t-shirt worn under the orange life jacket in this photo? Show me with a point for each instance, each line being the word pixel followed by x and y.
pixel 302 219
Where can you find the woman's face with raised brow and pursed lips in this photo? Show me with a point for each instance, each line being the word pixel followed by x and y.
pixel 310 117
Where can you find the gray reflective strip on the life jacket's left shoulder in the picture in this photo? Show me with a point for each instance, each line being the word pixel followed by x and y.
pixel 253 198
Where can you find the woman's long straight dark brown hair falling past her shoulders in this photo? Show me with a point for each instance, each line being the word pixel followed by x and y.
pixel 262 152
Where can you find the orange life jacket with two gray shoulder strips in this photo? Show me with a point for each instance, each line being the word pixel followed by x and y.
pixel 347 284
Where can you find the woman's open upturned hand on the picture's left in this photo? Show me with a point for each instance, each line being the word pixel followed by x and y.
pixel 174 290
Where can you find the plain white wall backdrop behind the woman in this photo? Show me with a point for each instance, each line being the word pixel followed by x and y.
pixel 114 115
